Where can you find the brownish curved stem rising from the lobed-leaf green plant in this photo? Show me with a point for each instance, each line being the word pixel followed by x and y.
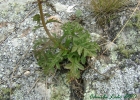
pixel 45 27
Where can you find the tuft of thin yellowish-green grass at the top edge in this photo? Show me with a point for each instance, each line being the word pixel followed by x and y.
pixel 106 10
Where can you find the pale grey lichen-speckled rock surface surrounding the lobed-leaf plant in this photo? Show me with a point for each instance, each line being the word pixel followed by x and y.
pixel 20 77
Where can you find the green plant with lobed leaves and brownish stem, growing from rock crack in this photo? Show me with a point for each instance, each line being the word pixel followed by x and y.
pixel 68 51
